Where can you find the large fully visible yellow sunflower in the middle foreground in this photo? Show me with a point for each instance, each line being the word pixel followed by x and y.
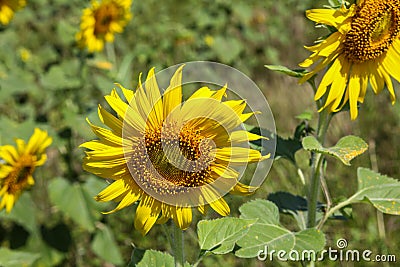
pixel 168 155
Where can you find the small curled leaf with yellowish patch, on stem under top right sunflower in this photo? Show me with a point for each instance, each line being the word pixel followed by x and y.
pixel 345 150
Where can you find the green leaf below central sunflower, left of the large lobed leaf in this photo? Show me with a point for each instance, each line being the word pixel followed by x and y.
pixel 219 236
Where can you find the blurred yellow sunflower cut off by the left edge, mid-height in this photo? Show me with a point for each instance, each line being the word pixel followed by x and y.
pixel 18 164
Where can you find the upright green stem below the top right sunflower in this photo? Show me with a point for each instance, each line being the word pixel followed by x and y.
pixel 316 169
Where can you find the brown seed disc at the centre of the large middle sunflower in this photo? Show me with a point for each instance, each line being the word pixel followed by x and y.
pixel 170 160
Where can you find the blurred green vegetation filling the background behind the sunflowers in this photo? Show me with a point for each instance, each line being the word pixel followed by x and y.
pixel 46 81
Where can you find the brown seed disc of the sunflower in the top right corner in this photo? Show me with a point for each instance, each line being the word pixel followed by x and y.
pixel 374 27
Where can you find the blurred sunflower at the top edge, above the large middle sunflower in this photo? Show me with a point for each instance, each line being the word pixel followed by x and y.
pixel 100 21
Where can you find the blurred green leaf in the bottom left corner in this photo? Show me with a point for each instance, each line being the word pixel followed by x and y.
pixel 12 258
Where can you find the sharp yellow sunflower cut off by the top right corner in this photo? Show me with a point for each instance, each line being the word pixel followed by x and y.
pixel 365 48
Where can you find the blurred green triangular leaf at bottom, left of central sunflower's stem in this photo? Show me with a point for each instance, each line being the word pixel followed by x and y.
pixel 105 247
